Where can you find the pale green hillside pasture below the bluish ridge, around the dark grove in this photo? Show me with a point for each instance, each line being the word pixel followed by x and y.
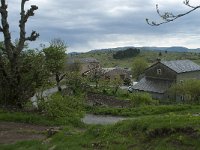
pixel 106 59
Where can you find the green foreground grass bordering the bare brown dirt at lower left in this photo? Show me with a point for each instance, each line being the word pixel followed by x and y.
pixel 166 127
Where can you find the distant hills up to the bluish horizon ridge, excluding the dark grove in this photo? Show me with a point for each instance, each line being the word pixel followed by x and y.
pixel 106 56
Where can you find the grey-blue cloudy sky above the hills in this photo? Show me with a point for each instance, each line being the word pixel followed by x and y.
pixel 95 24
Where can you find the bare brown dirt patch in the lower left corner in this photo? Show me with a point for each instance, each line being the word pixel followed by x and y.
pixel 11 132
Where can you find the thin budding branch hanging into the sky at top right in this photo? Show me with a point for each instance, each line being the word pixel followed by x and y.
pixel 169 17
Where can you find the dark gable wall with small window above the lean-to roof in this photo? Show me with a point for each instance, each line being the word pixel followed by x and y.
pixel 166 73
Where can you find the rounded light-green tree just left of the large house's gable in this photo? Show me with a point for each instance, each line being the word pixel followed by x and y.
pixel 138 67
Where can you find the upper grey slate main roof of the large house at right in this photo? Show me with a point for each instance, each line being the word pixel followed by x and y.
pixel 181 66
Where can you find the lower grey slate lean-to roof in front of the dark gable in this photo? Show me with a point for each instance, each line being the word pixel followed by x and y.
pixel 152 85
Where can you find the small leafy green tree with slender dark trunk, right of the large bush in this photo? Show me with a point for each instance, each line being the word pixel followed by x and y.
pixel 56 60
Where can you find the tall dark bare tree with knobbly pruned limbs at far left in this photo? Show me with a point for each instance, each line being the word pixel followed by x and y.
pixel 10 54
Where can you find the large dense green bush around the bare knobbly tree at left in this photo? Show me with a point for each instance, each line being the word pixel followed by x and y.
pixel 32 74
